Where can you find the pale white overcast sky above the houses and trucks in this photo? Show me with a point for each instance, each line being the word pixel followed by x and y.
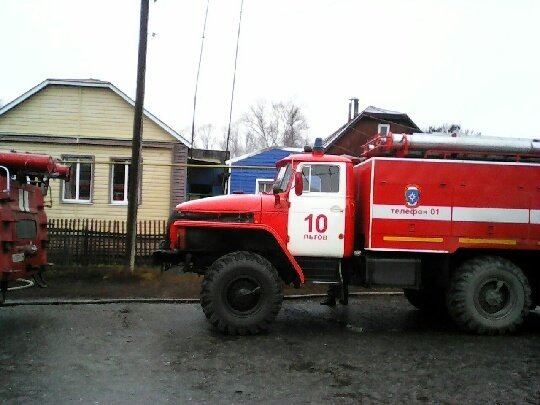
pixel 472 62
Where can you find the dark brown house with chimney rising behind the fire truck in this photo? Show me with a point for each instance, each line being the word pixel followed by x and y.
pixel 362 126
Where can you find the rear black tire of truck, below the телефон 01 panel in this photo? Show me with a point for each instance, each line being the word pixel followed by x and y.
pixel 489 295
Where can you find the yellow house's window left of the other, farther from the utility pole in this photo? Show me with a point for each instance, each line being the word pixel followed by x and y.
pixel 79 186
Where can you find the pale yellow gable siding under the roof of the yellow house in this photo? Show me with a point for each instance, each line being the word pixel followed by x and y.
pixel 77 111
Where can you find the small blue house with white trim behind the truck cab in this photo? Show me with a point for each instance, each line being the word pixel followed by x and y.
pixel 249 179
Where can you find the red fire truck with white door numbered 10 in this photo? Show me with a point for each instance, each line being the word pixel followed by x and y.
pixel 454 221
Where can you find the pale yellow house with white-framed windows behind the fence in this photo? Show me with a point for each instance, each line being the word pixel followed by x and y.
pixel 89 123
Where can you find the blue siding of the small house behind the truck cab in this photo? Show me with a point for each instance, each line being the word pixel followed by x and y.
pixel 244 180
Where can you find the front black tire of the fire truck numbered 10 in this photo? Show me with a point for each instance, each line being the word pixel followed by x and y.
pixel 241 294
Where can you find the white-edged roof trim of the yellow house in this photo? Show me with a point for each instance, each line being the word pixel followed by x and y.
pixel 91 83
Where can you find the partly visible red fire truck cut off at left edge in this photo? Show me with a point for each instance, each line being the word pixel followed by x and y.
pixel 24 181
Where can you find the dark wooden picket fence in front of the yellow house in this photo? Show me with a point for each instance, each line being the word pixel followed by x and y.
pixel 87 242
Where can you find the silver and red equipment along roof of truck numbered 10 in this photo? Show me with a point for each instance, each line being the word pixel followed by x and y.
pixel 444 146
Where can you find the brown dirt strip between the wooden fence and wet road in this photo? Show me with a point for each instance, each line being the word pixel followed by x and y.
pixel 118 283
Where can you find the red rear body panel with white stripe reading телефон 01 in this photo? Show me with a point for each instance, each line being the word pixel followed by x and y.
pixel 453 204
